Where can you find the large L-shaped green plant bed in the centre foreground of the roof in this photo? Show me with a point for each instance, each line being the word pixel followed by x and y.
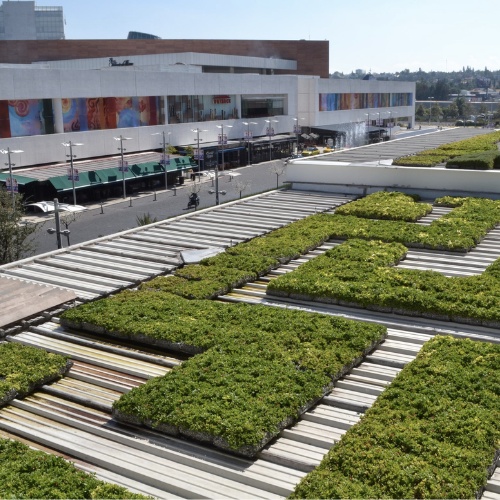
pixel 261 368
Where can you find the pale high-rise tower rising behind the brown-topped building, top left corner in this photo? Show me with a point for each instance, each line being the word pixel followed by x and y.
pixel 26 21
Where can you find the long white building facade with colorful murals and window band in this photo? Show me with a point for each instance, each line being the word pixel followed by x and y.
pixel 43 106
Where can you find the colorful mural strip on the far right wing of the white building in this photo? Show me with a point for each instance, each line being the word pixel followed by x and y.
pixel 342 102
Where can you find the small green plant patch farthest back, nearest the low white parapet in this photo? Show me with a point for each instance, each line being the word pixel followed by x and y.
pixel 386 205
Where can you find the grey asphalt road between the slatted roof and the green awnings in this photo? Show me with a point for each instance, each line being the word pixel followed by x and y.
pixel 120 216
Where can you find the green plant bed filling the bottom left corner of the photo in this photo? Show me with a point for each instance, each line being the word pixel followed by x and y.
pixel 27 473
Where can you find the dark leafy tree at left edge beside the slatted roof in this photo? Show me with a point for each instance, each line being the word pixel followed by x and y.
pixel 16 237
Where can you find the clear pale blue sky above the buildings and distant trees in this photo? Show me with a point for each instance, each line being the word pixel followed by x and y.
pixel 382 35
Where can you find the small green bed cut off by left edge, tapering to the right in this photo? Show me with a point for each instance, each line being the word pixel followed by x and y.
pixel 24 368
